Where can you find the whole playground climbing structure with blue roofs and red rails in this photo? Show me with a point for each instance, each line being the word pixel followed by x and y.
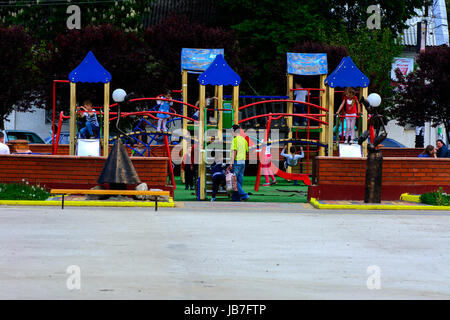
pixel 214 71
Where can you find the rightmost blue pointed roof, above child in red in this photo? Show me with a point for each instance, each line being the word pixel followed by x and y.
pixel 347 74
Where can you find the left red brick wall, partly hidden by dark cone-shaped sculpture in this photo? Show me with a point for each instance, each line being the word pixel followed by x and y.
pixel 75 172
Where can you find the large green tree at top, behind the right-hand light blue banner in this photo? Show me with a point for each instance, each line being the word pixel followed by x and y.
pixel 268 28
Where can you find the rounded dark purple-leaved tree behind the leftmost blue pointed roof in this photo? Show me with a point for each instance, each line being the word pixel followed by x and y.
pixel 124 55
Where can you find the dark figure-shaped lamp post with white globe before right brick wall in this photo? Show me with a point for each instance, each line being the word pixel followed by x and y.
pixel 377 133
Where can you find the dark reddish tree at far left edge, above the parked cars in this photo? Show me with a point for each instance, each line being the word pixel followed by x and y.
pixel 17 71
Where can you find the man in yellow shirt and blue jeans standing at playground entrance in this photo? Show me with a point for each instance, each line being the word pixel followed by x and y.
pixel 239 150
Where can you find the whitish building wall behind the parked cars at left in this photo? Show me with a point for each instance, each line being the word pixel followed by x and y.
pixel 33 120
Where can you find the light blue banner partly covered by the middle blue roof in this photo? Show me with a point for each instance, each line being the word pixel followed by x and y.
pixel 198 59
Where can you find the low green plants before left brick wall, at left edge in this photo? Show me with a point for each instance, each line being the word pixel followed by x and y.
pixel 22 191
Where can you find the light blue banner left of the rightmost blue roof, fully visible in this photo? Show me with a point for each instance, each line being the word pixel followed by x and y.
pixel 307 64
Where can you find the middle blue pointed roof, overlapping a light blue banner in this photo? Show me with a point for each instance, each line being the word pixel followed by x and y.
pixel 219 73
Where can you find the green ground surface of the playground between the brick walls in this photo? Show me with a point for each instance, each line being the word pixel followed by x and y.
pixel 283 191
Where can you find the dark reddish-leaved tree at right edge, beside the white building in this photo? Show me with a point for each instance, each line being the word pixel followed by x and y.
pixel 423 95
